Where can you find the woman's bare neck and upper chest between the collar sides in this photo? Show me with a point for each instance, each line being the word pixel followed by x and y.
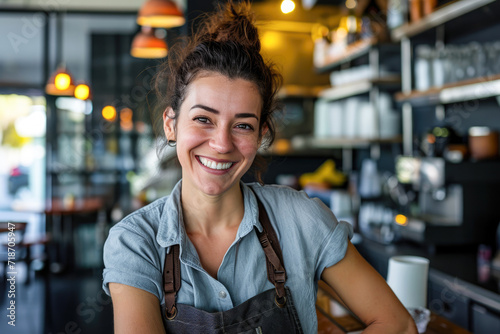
pixel 206 215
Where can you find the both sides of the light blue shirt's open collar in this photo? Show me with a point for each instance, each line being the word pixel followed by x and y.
pixel 171 230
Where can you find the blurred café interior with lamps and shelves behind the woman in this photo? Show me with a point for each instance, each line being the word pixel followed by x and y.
pixel 391 117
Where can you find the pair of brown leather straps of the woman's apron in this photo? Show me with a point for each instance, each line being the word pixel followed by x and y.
pixel 276 272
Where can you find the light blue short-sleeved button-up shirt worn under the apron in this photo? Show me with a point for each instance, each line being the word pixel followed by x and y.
pixel 310 237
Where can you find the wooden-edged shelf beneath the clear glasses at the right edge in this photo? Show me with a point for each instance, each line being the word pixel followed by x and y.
pixel 479 88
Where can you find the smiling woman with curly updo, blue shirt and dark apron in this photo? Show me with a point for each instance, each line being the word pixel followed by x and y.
pixel 219 255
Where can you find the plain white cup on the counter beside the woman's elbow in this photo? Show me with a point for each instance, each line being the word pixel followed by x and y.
pixel 407 276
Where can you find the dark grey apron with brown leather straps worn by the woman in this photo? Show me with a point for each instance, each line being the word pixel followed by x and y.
pixel 271 311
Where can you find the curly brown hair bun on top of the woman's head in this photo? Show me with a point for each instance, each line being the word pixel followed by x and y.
pixel 232 23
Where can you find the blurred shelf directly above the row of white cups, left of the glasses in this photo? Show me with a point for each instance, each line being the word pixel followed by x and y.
pixel 358 88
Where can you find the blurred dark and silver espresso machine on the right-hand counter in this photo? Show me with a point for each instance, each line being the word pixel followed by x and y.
pixel 456 204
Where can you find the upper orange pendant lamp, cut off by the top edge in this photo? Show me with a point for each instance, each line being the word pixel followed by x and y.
pixel 160 14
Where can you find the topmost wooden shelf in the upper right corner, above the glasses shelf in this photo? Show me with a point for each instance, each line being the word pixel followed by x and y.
pixel 440 16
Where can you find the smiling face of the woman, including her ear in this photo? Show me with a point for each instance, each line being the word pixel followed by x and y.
pixel 217 133
